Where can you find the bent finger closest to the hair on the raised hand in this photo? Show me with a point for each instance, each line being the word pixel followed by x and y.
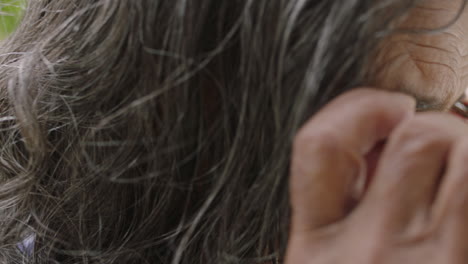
pixel 328 152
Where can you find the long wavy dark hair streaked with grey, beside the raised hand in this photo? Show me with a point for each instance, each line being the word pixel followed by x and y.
pixel 152 131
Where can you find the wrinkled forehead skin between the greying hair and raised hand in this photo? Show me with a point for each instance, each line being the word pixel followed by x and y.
pixel 427 56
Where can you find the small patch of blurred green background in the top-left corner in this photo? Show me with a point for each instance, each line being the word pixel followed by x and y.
pixel 11 12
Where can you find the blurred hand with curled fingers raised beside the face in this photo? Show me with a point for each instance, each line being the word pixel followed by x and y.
pixel 415 209
